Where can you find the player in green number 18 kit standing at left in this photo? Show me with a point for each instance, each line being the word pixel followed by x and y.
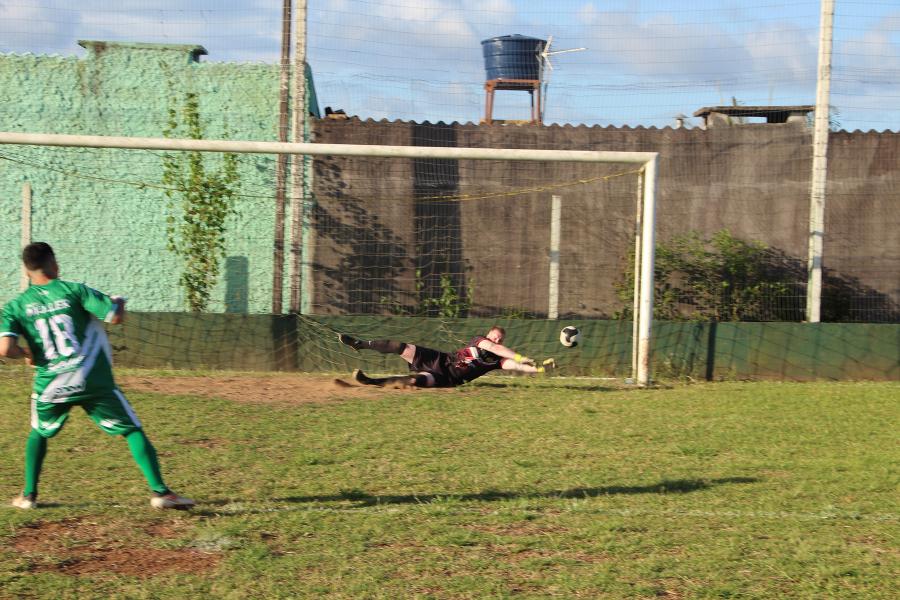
pixel 68 347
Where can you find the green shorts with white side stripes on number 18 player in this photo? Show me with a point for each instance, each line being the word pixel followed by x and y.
pixel 109 410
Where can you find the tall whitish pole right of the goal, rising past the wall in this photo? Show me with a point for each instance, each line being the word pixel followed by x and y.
pixel 820 167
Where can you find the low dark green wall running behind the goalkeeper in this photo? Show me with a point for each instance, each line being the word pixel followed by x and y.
pixel 699 351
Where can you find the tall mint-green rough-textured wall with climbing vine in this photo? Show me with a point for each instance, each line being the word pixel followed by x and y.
pixel 107 228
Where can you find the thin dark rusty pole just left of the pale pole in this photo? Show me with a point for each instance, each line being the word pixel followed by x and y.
pixel 282 162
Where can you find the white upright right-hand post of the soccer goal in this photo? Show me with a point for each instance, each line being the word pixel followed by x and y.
pixel 647 249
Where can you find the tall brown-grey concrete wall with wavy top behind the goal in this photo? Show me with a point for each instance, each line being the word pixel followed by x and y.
pixel 752 180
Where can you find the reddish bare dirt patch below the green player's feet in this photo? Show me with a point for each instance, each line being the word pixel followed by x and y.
pixel 82 546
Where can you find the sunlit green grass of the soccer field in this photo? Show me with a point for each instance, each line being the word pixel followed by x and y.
pixel 512 488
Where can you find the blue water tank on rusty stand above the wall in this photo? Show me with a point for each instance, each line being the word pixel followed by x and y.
pixel 513 62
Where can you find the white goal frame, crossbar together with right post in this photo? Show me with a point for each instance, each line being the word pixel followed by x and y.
pixel 646 222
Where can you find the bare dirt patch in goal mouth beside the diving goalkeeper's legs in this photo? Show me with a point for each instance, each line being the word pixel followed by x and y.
pixel 277 388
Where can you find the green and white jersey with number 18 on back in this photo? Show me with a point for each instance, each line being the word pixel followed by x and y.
pixel 59 322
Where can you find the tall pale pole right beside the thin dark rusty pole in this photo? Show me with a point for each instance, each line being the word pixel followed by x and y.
pixel 298 203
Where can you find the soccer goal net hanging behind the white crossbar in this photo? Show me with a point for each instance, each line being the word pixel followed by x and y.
pixel 425 244
